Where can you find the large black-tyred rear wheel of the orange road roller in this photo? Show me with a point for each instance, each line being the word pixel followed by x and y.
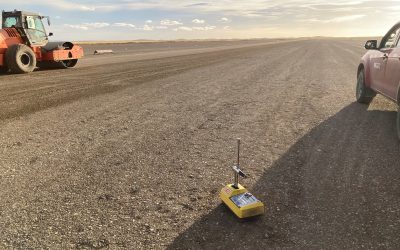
pixel 20 59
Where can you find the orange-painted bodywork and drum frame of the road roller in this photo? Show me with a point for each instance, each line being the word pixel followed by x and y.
pixel 10 36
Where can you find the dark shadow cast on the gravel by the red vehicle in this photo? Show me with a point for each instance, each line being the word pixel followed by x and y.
pixel 337 187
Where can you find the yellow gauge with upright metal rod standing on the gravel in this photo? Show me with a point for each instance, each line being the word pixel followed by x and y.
pixel 238 198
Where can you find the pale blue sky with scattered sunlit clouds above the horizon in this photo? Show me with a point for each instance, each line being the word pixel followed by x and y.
pixel 88 20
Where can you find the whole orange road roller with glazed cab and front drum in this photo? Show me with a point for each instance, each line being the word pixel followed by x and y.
pixel 24 45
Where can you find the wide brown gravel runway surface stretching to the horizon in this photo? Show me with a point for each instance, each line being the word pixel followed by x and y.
pixel 130 150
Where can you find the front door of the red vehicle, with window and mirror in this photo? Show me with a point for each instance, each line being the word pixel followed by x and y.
pixel 379 60
